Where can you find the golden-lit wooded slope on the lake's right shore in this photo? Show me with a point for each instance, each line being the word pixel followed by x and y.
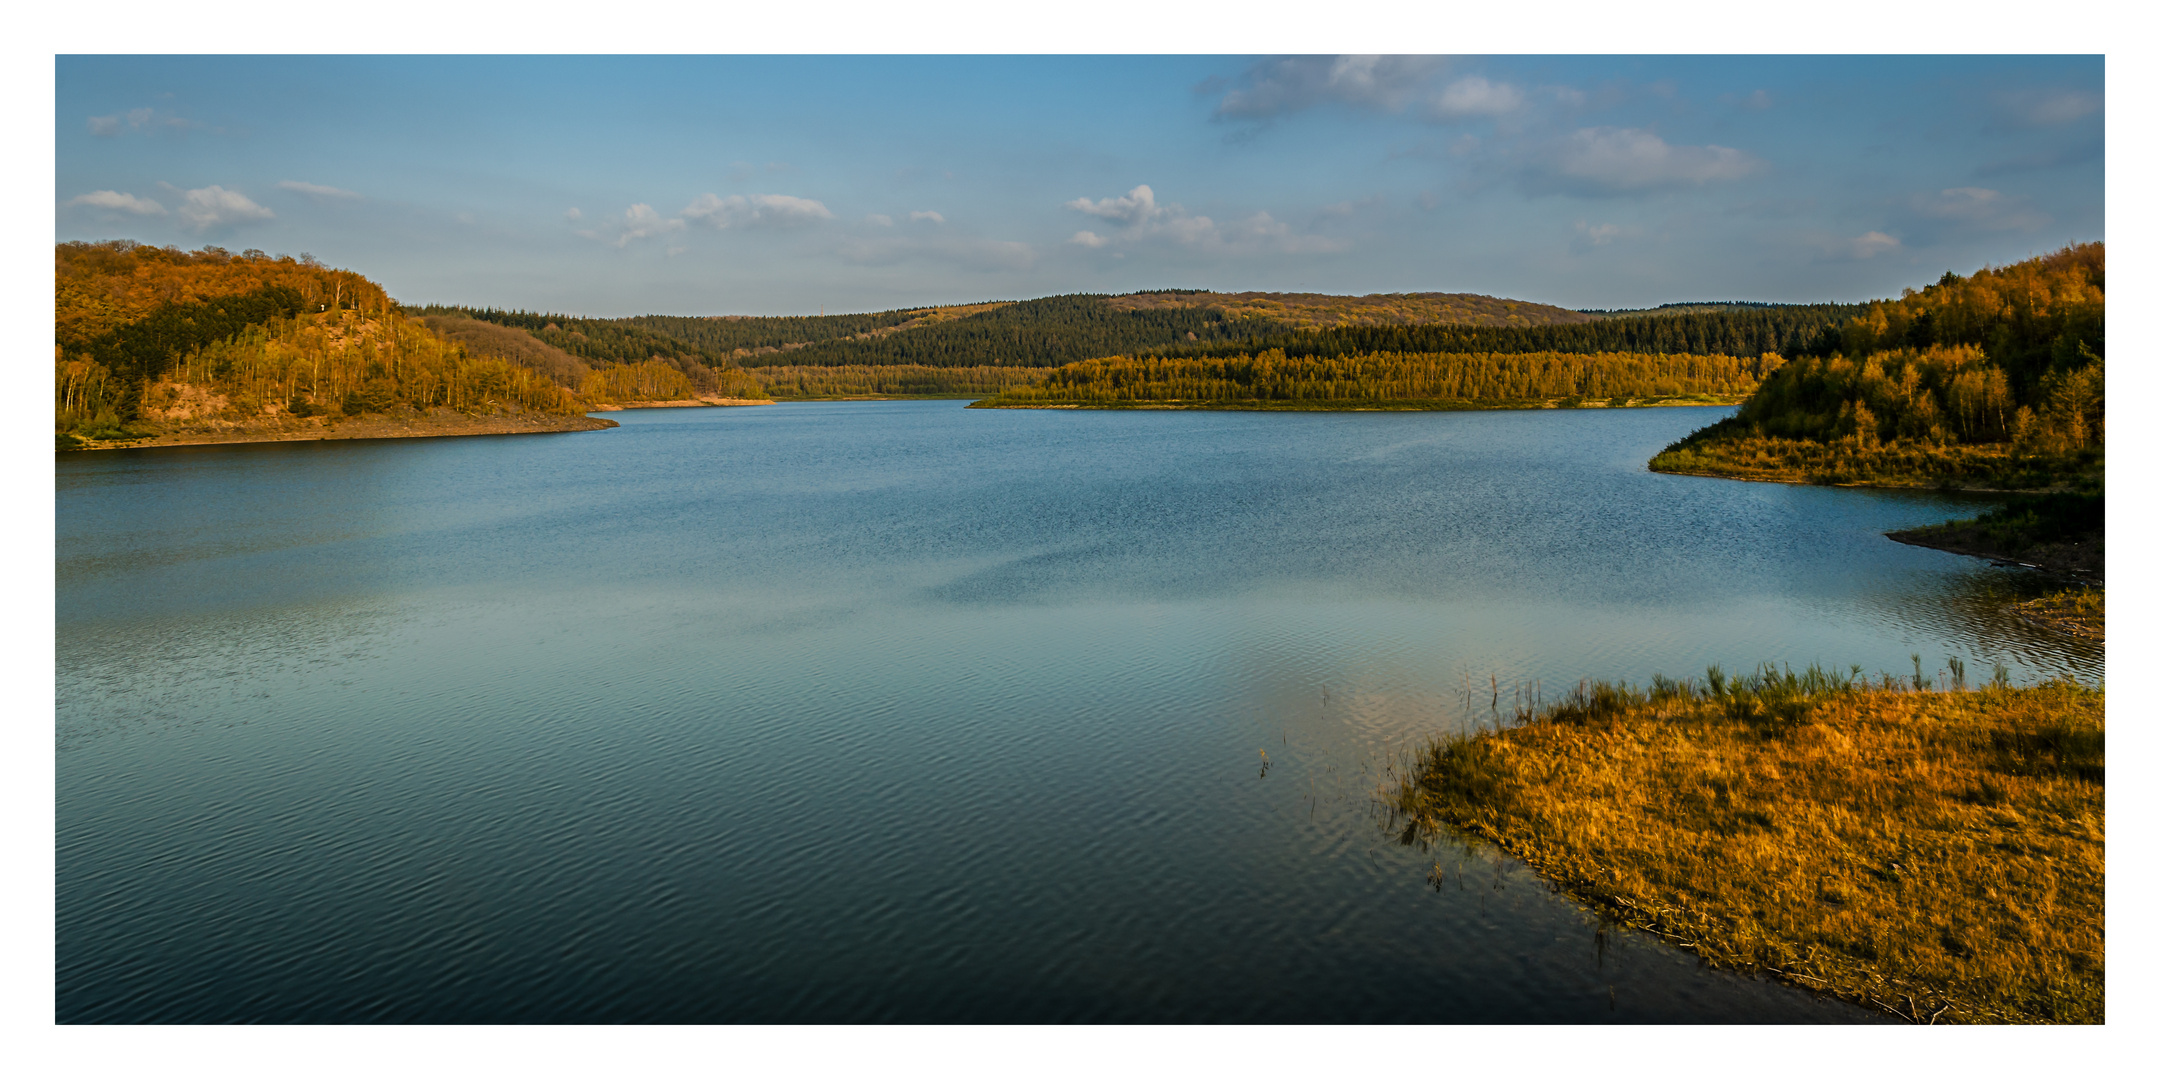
pixel 1986 381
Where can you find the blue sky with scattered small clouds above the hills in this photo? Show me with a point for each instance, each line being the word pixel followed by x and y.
pixel 787 185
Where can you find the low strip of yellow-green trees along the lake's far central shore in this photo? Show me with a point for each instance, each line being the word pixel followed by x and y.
pixel 1392 381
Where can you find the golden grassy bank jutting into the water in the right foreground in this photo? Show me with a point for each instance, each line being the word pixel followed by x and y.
pixel 1930 852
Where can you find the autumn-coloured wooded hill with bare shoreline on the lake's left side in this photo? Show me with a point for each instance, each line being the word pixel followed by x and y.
pixel 157 338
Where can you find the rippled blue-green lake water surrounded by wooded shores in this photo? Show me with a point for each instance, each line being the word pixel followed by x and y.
pixel 902 712
